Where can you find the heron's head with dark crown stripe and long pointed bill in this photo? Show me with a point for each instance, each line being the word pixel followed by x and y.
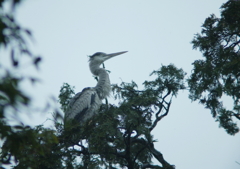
pixel 100 57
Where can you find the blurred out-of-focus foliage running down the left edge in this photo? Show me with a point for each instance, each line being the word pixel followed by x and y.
pixel 20 143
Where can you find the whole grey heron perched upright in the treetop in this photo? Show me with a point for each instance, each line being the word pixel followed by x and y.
pixel 84 105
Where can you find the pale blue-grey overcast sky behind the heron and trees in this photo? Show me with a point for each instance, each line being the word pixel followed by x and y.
pixel 154 32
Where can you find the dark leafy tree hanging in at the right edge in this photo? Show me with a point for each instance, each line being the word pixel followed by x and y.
pixel 218 74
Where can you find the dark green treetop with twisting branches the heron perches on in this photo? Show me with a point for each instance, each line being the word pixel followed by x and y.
pixel 120 136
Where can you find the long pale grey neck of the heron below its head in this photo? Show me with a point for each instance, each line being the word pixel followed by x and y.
pixel 103 86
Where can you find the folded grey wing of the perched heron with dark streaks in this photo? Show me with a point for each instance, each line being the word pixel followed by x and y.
pixel 82 103
